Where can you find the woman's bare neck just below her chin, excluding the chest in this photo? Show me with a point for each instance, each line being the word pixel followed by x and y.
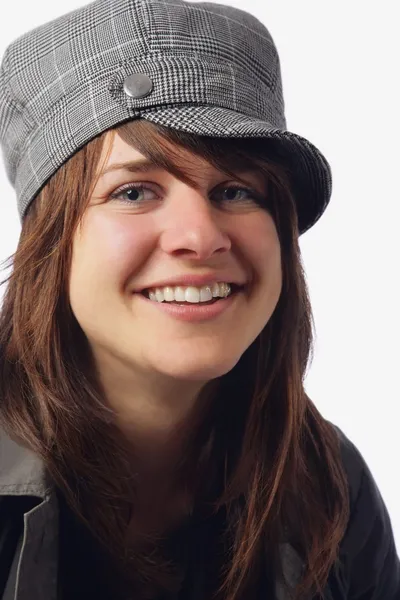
pixel 157 415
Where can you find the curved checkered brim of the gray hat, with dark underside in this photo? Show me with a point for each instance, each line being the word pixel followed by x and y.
pixel 309 171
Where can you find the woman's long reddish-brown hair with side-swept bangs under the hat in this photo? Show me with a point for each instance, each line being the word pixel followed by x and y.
pixel 268 457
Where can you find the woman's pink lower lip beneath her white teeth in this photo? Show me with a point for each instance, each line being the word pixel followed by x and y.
pixel 195 312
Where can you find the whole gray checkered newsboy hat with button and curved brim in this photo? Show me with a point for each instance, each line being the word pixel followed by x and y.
pixel 202 68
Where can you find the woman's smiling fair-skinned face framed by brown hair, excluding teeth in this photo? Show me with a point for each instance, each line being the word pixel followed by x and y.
pixel 166 230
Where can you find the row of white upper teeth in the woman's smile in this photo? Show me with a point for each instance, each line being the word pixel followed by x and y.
pixel 190 294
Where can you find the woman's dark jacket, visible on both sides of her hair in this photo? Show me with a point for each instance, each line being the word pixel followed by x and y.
pixel 369 567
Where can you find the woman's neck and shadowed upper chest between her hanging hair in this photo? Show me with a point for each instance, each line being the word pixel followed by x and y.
pixel 158 418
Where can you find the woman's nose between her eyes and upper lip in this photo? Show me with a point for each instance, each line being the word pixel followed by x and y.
pixel 193 227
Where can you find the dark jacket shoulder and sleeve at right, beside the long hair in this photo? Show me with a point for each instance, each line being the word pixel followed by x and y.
pixel 368 550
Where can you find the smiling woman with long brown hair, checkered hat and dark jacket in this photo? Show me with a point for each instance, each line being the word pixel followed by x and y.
pixel 157 441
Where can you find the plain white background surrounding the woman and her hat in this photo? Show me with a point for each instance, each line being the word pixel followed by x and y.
pixel 340 65
